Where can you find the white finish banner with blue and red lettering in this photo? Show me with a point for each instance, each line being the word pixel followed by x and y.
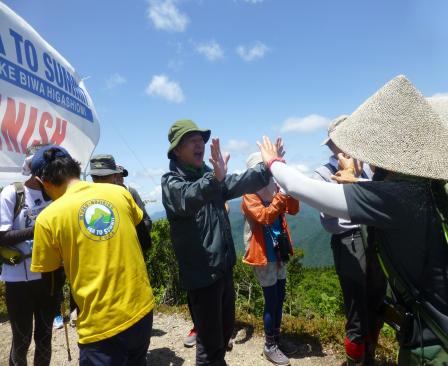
pixel 42 98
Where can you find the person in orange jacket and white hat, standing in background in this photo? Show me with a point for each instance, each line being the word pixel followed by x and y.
pixel 268 244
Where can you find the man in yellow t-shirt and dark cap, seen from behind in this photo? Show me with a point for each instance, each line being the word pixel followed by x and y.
pixel 94 231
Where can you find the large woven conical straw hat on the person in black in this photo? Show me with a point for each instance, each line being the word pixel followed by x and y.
pixel 397 129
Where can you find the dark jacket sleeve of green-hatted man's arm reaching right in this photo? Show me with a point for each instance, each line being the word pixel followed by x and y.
pixel 251 181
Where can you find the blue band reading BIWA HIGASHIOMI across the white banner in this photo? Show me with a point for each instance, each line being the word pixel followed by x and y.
pixel 24 79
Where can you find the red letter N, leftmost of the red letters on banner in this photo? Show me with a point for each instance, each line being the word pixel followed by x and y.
pixel 12 124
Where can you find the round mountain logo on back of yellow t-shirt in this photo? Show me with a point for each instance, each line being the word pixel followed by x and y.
pixel 98 220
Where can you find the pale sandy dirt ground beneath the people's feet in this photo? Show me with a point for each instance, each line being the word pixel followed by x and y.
pixel 166 347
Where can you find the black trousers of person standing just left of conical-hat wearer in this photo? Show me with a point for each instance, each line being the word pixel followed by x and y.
pixel 363 285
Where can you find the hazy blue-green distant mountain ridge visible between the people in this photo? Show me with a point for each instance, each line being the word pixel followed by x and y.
pixel 306 231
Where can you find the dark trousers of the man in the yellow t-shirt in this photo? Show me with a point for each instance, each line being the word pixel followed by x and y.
pixel 128 348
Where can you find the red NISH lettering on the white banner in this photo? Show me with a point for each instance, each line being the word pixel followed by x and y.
pixel 13 122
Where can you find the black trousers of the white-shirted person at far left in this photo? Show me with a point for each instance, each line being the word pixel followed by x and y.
pixel 25 301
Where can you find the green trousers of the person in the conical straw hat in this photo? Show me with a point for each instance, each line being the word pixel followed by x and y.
pixel 432 356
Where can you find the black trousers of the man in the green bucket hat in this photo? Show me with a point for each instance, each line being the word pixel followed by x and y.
pixel 213 311
